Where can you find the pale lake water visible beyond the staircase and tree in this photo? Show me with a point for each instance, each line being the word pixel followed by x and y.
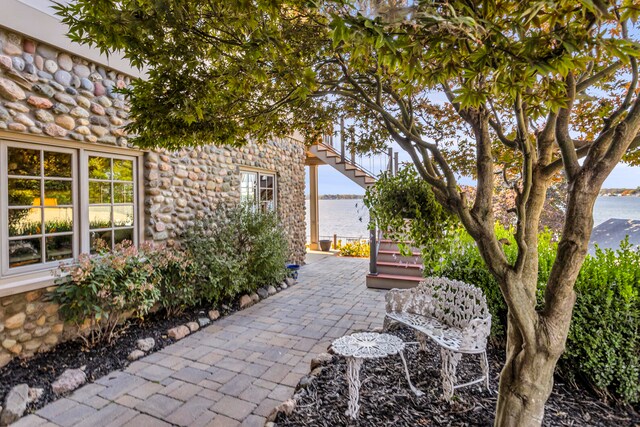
pixel 349 218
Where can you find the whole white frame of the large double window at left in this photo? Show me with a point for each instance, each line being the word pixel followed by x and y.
pixel 80 203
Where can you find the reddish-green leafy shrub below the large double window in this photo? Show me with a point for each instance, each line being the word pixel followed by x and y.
pixel 98 292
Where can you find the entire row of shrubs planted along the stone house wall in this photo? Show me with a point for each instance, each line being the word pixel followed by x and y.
pixel 223 256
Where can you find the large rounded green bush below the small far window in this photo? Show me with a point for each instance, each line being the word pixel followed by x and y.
pixel 236 252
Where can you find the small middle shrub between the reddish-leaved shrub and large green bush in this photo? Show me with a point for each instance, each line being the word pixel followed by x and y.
pixel 177 280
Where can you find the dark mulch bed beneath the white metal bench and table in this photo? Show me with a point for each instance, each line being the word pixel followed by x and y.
pixel 385 398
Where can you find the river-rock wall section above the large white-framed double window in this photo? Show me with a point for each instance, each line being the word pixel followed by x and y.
pixel 52 93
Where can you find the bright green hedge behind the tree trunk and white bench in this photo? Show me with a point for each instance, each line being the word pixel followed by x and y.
pixel 603 345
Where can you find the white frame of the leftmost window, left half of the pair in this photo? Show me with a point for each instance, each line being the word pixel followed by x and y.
pixel 4 197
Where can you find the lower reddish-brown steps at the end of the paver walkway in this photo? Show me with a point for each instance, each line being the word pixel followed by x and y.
pixel 395 270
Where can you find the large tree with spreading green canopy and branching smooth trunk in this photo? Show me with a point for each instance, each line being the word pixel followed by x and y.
pixel 523 93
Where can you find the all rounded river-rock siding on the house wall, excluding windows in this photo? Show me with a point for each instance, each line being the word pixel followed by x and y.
pixel 52 94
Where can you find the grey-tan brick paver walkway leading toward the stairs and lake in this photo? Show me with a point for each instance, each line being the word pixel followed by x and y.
pixel 235 371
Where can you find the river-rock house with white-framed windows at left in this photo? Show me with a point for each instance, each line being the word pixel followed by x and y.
pixel 69 175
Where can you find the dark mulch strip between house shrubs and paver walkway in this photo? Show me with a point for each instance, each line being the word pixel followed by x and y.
pixel 43 369
